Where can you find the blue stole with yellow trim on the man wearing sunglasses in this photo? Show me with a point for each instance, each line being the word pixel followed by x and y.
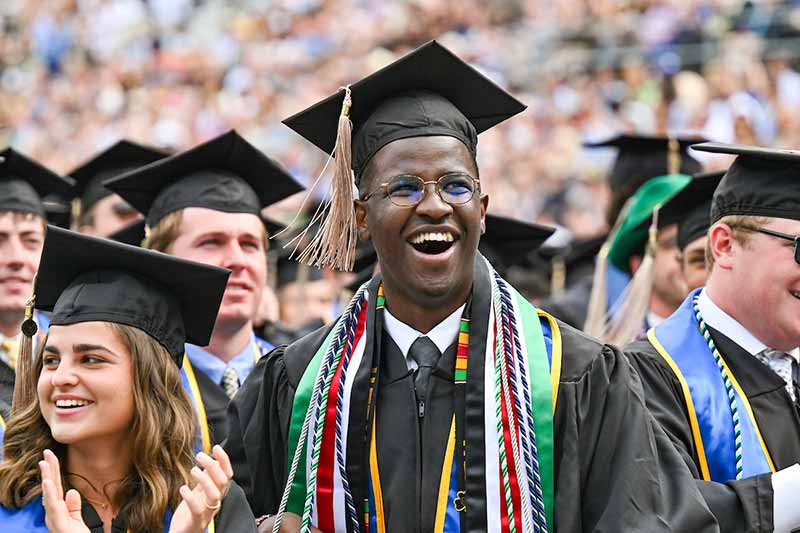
pixel 723 437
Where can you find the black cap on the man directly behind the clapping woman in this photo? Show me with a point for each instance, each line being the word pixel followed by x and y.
pixel 225 174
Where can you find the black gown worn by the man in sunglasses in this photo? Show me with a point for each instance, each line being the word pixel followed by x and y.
pixel 745 505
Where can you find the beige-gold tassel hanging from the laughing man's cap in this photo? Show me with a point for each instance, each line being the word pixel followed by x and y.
pixel 335 242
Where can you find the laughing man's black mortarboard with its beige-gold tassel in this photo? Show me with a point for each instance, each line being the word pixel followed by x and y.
pixel 427 92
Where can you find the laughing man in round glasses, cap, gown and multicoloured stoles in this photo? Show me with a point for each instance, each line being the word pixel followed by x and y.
pixel 441 400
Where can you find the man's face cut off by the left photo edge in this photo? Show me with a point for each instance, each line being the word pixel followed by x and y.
pixel 21 240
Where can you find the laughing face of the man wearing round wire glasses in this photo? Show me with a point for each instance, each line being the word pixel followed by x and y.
pixel 427 251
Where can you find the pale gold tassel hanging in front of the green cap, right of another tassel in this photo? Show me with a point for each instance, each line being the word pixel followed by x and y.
pixel 629 316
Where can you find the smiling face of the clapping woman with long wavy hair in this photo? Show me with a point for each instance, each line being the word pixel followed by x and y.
pixel 85 387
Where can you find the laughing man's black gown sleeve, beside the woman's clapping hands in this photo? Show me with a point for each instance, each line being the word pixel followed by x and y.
pixel 258 425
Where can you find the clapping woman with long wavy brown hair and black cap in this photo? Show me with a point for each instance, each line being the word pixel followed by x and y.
pixel 102 436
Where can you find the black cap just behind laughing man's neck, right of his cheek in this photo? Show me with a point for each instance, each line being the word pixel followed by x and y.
pixel 508 242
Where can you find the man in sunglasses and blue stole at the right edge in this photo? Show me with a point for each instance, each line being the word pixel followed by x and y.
pixel 720 374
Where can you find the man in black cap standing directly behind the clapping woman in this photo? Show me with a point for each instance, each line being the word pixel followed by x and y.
pixel 204 205
